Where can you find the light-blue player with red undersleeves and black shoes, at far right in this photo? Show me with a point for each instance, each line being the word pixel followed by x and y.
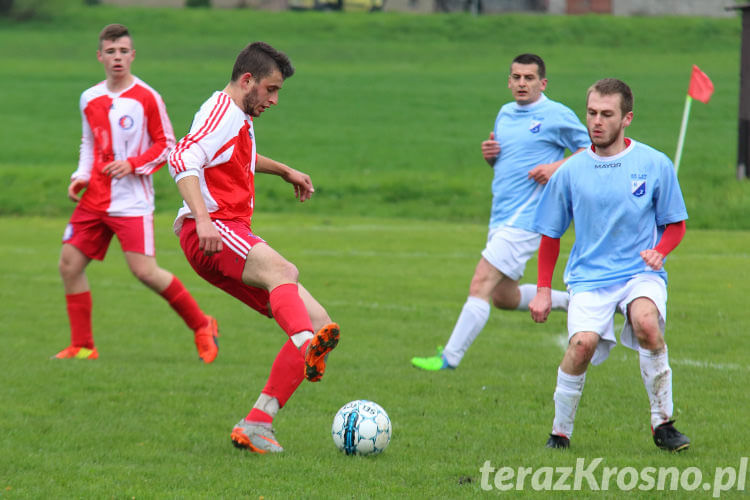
pixel 629 214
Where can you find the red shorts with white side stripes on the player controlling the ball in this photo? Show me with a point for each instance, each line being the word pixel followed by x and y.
pixel 224 269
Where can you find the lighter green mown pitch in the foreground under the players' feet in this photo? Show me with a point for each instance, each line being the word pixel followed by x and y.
pixel 147 420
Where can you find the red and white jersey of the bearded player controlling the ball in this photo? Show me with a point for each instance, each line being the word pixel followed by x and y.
pixel 220 151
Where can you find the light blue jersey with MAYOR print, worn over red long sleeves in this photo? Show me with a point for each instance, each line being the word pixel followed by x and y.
pixel 620 205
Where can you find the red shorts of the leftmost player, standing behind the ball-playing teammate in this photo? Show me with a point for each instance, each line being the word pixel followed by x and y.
pixel 91 233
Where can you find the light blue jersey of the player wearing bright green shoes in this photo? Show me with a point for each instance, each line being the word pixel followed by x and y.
pixel 529 135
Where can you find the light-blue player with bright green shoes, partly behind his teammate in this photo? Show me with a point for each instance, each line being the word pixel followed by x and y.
pixel 527 145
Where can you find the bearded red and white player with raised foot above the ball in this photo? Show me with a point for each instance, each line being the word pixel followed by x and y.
pixel 214 167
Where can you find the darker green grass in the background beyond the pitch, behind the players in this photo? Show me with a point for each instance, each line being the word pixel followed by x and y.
pixel 386 112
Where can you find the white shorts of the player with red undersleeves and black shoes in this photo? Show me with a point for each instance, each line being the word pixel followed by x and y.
pixel 594 311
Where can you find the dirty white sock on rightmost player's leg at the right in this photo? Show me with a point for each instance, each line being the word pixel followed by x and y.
pixel 657 377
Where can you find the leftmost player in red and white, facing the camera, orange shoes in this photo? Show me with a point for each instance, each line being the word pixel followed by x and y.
pixel 126 138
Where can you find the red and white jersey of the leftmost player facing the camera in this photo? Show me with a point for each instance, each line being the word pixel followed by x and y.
pixel 130 125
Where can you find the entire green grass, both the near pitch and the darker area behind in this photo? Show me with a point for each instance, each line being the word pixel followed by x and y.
pixel 386 113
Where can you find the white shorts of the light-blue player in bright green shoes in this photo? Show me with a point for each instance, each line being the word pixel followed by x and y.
pixel 509 249
